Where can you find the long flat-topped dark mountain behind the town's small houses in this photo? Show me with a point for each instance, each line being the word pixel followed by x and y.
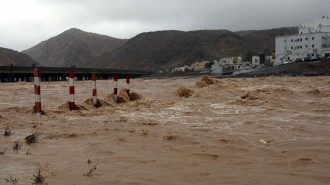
pixel 167 49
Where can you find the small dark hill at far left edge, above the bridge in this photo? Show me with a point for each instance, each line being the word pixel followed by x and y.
pixel 8 57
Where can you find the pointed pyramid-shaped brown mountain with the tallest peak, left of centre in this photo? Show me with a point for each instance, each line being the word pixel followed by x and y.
pixel 73 47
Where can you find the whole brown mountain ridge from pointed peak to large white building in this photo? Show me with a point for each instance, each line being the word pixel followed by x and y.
pixel 151 50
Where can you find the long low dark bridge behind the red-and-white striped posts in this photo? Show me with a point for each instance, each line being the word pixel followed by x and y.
pixel 19 73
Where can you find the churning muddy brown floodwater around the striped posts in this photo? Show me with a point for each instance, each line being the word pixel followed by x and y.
pixel 273 130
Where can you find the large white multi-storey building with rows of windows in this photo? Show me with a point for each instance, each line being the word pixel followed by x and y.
pixel 312 41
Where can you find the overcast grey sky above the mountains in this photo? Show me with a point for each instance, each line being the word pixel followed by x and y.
pixel 25 23
